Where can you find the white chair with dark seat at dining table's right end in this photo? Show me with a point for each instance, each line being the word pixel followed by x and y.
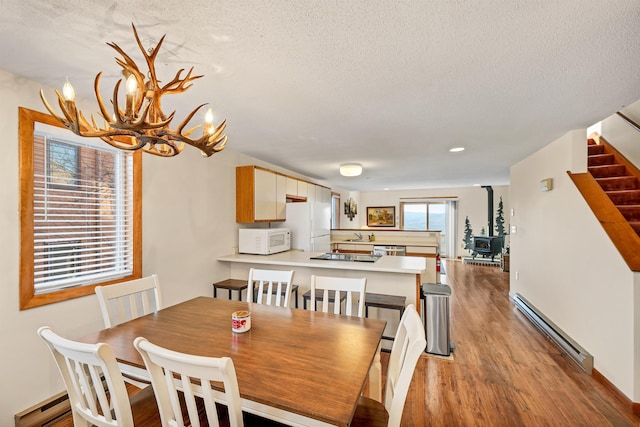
pixel 408 346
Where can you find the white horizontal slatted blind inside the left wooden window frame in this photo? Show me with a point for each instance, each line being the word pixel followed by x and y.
pixel 83 210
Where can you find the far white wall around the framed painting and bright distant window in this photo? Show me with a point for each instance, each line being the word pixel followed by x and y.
pixel 472 202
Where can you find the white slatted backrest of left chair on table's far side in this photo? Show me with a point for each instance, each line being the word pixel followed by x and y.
pixel 273 285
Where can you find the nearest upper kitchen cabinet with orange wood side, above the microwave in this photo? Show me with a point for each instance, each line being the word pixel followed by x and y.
pixel 260 195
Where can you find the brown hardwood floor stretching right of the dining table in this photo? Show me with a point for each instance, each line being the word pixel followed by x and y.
pixel 504 372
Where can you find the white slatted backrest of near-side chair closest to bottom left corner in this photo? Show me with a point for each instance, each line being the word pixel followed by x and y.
pixel 97 393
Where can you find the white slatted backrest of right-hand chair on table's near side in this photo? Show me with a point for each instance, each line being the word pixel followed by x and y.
pixel 172 371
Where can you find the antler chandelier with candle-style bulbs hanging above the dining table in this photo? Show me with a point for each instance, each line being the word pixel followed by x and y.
pixel 142 125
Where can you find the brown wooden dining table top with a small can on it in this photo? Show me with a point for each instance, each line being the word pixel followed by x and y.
pixel 303 362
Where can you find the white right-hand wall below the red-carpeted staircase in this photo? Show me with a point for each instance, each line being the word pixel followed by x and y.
pixel 564 264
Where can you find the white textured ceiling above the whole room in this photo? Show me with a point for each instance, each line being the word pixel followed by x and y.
pixel 308 85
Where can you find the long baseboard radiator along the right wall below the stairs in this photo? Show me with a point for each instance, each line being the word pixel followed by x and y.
pixel 562 340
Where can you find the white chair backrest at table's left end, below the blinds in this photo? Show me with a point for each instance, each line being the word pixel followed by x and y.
pixel 127 300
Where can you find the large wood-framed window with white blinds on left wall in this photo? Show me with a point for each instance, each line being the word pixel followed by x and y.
pixel 79 211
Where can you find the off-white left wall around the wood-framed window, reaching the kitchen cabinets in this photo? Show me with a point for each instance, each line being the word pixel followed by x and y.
pixel 188 221
